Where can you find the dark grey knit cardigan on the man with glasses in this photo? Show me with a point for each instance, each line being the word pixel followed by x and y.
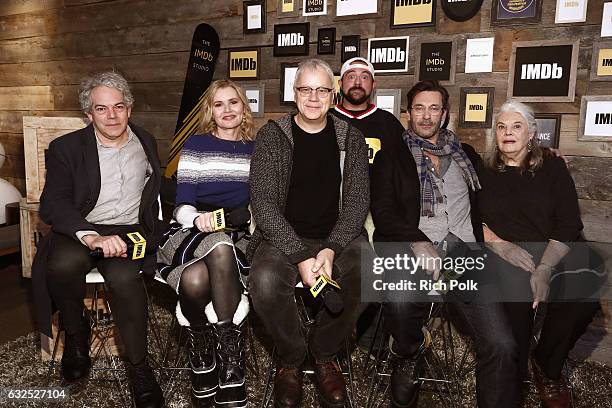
pixel 270 176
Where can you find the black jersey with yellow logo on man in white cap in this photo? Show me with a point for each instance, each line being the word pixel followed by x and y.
pixel 380 128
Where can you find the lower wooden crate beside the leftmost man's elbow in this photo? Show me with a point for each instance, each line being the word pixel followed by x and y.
pixel 32 229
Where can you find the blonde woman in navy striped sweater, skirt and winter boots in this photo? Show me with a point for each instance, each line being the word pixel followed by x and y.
pixel 201 264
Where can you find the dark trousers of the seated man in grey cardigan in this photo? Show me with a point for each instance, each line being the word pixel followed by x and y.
pixel 272 286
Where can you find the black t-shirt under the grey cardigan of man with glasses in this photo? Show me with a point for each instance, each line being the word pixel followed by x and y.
pixel 313 200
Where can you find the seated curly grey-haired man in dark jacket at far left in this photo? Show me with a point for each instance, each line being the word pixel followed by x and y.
pixel 102 182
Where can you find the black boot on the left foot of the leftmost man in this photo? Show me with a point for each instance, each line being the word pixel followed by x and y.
pixel 76 362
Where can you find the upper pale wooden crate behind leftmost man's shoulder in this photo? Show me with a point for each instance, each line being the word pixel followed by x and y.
pixel 38 132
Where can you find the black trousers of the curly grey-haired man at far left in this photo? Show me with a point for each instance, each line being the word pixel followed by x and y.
pixel 68 263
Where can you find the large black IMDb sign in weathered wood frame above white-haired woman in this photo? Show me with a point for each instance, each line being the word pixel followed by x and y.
pixel 543 71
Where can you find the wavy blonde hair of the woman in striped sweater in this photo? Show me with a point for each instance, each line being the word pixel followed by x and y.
pixel 207 120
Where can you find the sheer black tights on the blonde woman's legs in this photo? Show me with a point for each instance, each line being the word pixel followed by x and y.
pixel 214 278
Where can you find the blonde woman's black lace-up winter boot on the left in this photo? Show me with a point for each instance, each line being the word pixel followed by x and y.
pixel 202 360
